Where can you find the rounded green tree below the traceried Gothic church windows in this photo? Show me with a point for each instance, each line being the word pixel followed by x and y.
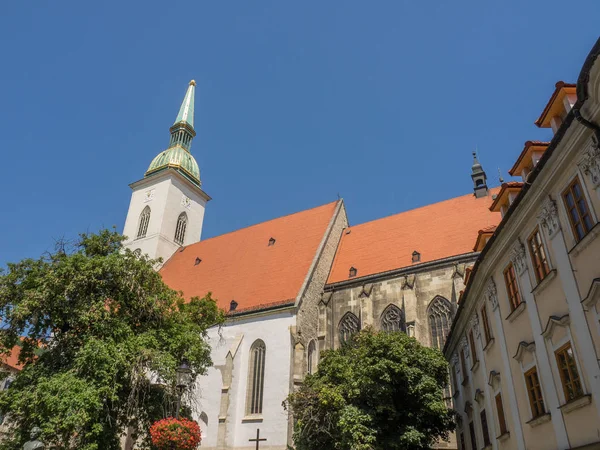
pixel 380 391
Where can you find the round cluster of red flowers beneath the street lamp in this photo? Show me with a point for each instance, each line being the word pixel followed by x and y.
pixel 175 434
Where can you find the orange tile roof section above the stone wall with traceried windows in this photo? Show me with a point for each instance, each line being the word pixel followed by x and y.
pixel 436 231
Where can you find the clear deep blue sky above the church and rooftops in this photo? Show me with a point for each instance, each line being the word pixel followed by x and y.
pixel 382 102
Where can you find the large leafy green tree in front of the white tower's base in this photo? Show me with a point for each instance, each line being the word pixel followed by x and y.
pixel 101 336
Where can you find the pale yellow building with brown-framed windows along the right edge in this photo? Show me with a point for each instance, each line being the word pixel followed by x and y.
pixel 524 347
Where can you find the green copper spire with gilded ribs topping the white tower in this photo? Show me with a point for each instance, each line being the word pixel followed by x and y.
pixel 178 155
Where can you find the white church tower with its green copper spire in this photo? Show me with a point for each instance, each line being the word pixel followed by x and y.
pixel 167 205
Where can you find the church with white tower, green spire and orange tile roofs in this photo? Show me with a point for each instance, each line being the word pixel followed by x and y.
pixel 297 285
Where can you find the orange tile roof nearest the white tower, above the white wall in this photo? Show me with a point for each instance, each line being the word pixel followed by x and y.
pixel 242 266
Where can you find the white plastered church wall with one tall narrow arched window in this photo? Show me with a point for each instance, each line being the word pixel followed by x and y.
pixel 274 330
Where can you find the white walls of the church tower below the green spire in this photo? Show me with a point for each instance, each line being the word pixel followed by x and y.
pixel 167 194
